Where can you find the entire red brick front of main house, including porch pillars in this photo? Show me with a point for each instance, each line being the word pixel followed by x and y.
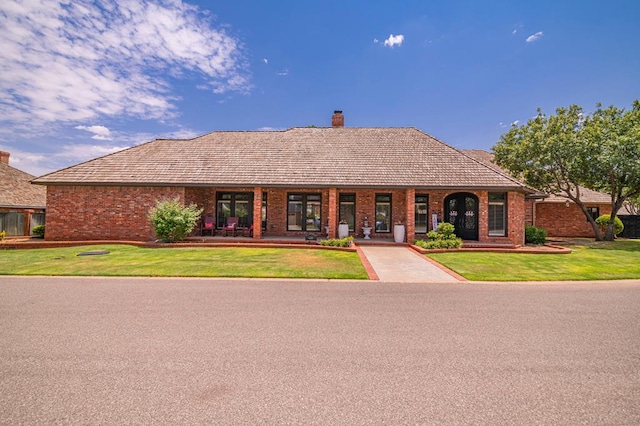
pixel 120 213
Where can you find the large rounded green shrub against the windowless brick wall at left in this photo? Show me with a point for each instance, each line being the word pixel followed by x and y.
pixel 172 220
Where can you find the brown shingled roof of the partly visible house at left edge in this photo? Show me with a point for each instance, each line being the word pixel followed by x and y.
pixel 16 191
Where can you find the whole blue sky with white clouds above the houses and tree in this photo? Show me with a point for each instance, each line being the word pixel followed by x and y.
pixel 80 79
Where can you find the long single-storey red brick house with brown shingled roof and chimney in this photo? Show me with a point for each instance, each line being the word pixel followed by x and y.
pixel 291 183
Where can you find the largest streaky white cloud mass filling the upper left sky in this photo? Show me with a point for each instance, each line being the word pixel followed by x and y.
pixel 72 61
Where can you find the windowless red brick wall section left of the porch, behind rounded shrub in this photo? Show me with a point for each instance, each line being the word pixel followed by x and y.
pixel 103 212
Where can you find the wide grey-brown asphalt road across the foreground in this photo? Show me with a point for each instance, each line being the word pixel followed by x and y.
pixel 199 351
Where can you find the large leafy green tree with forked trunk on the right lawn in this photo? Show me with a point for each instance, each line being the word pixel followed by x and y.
pixel 560 153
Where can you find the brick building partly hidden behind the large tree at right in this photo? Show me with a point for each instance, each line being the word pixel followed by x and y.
pixel 559 216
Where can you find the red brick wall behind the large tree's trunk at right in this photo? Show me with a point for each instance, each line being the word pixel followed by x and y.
pixel 562 221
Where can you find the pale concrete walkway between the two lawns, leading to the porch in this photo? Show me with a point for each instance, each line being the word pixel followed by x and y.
pixel 401 264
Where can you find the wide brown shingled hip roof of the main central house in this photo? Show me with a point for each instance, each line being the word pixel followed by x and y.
pixel 298 157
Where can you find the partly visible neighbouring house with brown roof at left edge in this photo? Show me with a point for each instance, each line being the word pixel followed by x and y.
pixel 22 204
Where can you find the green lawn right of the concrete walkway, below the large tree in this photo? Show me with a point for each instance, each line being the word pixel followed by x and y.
pixel 589 261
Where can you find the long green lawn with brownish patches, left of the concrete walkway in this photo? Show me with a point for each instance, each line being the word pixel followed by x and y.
pixel 125 260
